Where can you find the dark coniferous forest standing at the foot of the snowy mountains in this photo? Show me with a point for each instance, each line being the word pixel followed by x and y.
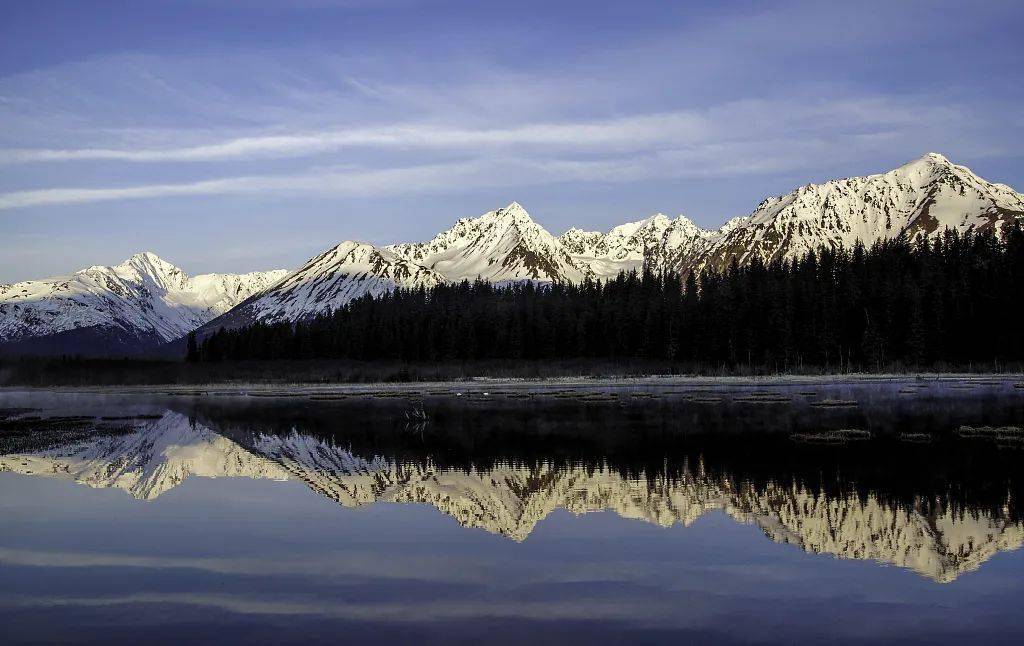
pixel 953 302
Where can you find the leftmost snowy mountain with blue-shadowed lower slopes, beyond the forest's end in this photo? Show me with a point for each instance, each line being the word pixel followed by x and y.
pixel 144 299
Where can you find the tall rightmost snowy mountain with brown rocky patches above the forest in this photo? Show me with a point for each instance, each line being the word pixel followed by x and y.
pixel 924 197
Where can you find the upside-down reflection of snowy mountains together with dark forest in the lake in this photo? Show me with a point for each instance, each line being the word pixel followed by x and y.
pixel 915 492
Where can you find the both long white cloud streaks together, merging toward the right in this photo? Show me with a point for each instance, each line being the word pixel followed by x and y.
pixel 752 138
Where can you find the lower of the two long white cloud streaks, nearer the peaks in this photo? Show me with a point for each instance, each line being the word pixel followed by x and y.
pixel 701 160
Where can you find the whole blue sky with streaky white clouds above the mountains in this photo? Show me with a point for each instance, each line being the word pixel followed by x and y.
pixel 235 136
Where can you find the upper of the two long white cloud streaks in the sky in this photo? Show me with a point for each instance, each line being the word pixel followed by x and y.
pixel 731 122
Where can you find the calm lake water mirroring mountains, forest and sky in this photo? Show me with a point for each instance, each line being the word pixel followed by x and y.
pixel 788 513
